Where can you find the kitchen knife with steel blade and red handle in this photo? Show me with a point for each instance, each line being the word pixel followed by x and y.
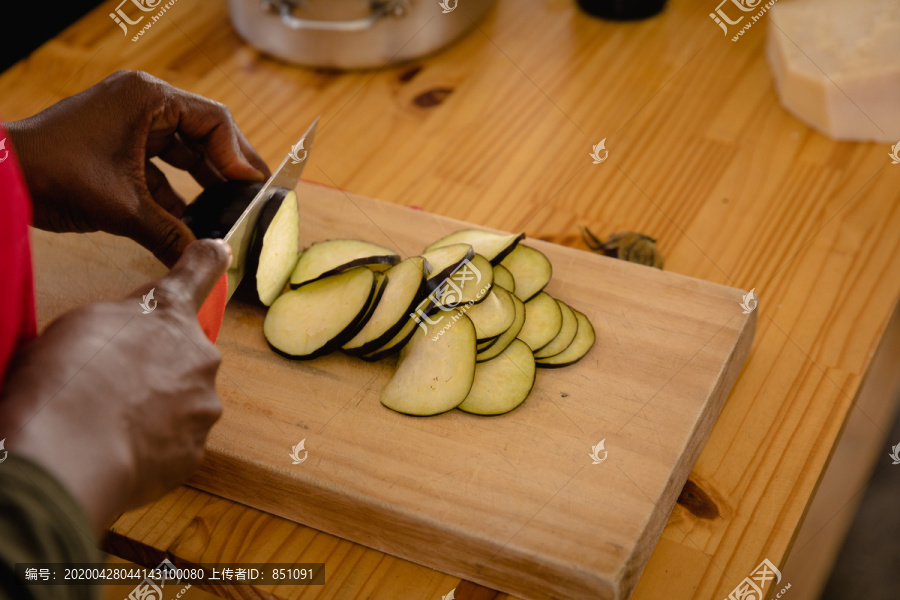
pixel 287 175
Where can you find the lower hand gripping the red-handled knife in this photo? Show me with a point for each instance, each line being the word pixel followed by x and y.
pixel 117 404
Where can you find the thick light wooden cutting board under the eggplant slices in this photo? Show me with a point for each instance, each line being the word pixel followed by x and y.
pixel 514 502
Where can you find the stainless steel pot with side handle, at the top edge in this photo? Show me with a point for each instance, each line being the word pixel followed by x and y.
pixel 353 34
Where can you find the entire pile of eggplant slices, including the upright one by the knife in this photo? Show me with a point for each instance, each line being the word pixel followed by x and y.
pixel 469 317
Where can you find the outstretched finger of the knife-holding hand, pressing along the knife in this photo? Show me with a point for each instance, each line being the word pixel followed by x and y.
pixel 196 273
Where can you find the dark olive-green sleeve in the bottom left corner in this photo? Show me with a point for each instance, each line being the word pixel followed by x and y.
pixel 41 522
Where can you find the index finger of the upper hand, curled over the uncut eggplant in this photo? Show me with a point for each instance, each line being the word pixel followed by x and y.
pixel 210 125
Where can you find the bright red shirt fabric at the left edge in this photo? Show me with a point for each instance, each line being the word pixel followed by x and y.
pixel 17 317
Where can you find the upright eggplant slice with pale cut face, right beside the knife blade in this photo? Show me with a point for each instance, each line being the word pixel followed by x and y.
pixel 278 245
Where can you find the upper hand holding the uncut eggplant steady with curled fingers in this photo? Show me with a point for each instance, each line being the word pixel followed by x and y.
pixel 87 161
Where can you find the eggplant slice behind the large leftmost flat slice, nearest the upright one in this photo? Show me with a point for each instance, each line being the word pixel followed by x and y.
pixel 329 258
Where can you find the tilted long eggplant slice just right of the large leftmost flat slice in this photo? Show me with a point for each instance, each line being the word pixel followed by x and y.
pixel 404 290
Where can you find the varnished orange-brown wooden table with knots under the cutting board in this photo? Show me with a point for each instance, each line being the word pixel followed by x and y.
pixel 497 130
